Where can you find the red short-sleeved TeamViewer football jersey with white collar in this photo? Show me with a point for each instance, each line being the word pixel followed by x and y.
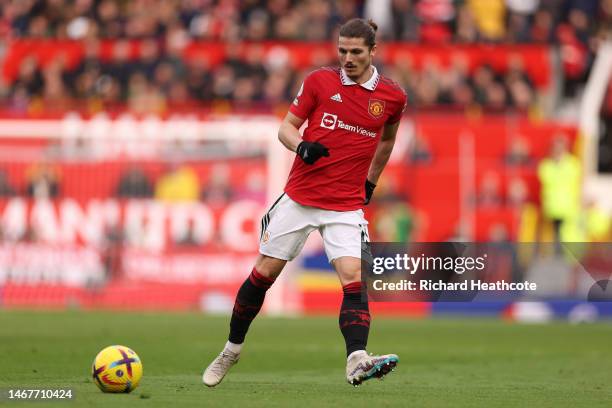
pixel 348 119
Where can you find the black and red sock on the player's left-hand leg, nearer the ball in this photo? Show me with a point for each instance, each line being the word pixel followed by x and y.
pixel 248 302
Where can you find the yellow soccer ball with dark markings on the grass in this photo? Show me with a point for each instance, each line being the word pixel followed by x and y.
pixel 117 369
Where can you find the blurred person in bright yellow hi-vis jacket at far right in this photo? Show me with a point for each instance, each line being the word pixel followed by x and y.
pixel 559 175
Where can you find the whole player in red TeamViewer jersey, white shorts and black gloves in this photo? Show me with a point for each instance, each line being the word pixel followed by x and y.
pixel 353 115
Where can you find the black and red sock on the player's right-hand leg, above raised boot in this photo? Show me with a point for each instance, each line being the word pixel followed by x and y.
pixel 354 318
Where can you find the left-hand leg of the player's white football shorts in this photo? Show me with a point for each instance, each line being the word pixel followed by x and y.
pixel 285 229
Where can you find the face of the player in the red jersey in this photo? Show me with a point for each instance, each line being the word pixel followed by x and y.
pixel 355 57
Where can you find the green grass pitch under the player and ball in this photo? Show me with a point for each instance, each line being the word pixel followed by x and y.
pixel 300 362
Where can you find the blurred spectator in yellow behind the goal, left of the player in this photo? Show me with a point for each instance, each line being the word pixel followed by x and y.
pixel 179 183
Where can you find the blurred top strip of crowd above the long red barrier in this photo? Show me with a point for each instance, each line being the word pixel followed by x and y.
pixel 256 20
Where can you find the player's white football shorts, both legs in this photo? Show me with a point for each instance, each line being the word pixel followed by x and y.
pixel 286 226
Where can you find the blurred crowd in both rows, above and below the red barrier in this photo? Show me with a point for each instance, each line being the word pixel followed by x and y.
pixel 160 77
